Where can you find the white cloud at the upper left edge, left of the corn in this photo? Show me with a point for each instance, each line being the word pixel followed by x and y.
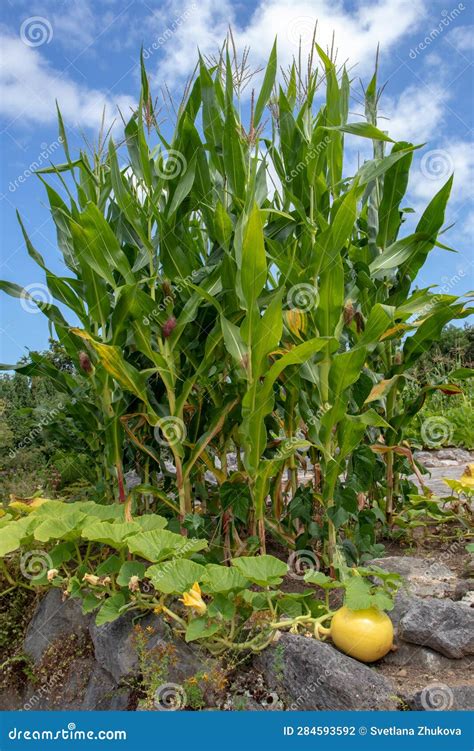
pixel 29 86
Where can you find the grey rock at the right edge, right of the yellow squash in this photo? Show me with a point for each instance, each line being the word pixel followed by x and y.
pixel 447 627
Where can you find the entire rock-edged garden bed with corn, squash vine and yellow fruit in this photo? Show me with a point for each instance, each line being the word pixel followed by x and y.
pixel 232 406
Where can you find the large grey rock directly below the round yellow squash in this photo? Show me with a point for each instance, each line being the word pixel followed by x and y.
pixel 309 674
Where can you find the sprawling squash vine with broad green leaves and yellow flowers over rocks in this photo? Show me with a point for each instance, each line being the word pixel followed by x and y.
pixel 114 566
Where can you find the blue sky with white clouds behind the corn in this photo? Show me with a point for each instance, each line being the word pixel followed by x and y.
pixel 85 54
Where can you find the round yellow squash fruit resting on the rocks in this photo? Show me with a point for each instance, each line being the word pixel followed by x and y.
pixel 366 635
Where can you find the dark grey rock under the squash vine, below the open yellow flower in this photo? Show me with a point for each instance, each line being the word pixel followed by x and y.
pixel 116 651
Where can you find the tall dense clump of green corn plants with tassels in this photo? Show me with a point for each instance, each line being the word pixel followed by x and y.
pixel 232 289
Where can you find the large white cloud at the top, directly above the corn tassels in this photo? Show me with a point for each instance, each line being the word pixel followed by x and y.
pixel 356 33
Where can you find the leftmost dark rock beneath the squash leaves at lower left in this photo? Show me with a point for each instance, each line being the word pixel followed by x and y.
pixel 53 618
